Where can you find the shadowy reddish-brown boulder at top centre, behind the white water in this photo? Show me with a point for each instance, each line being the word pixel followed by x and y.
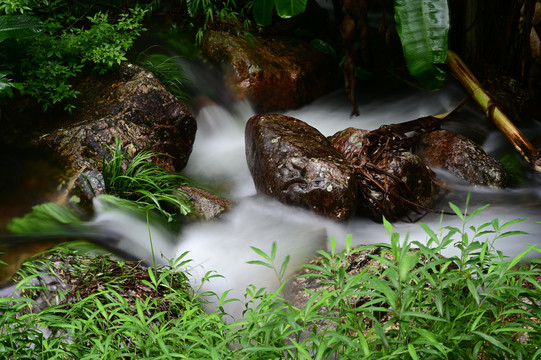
pixel 275 74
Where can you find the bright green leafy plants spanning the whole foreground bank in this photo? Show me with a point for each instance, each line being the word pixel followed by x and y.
pixel 407 302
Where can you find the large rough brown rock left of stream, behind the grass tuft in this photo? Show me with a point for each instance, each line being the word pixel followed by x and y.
pixel 131 104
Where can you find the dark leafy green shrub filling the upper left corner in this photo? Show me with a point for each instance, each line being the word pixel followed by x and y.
pixel 53 41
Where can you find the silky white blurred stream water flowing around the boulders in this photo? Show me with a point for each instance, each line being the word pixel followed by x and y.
pixel 218 158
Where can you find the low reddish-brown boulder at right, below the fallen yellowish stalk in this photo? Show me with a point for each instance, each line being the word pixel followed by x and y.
pixel 459 155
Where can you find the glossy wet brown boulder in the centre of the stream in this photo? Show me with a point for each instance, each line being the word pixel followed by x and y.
pixel 294 163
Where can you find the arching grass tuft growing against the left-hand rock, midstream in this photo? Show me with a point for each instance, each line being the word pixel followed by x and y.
pixel 145 182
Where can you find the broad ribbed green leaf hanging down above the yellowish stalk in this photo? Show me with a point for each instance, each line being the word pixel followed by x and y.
pixel 423 28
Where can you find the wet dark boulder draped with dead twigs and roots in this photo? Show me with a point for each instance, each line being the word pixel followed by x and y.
pixel 392 181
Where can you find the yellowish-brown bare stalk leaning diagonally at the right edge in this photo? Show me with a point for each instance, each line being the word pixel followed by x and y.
pixel 463 74
